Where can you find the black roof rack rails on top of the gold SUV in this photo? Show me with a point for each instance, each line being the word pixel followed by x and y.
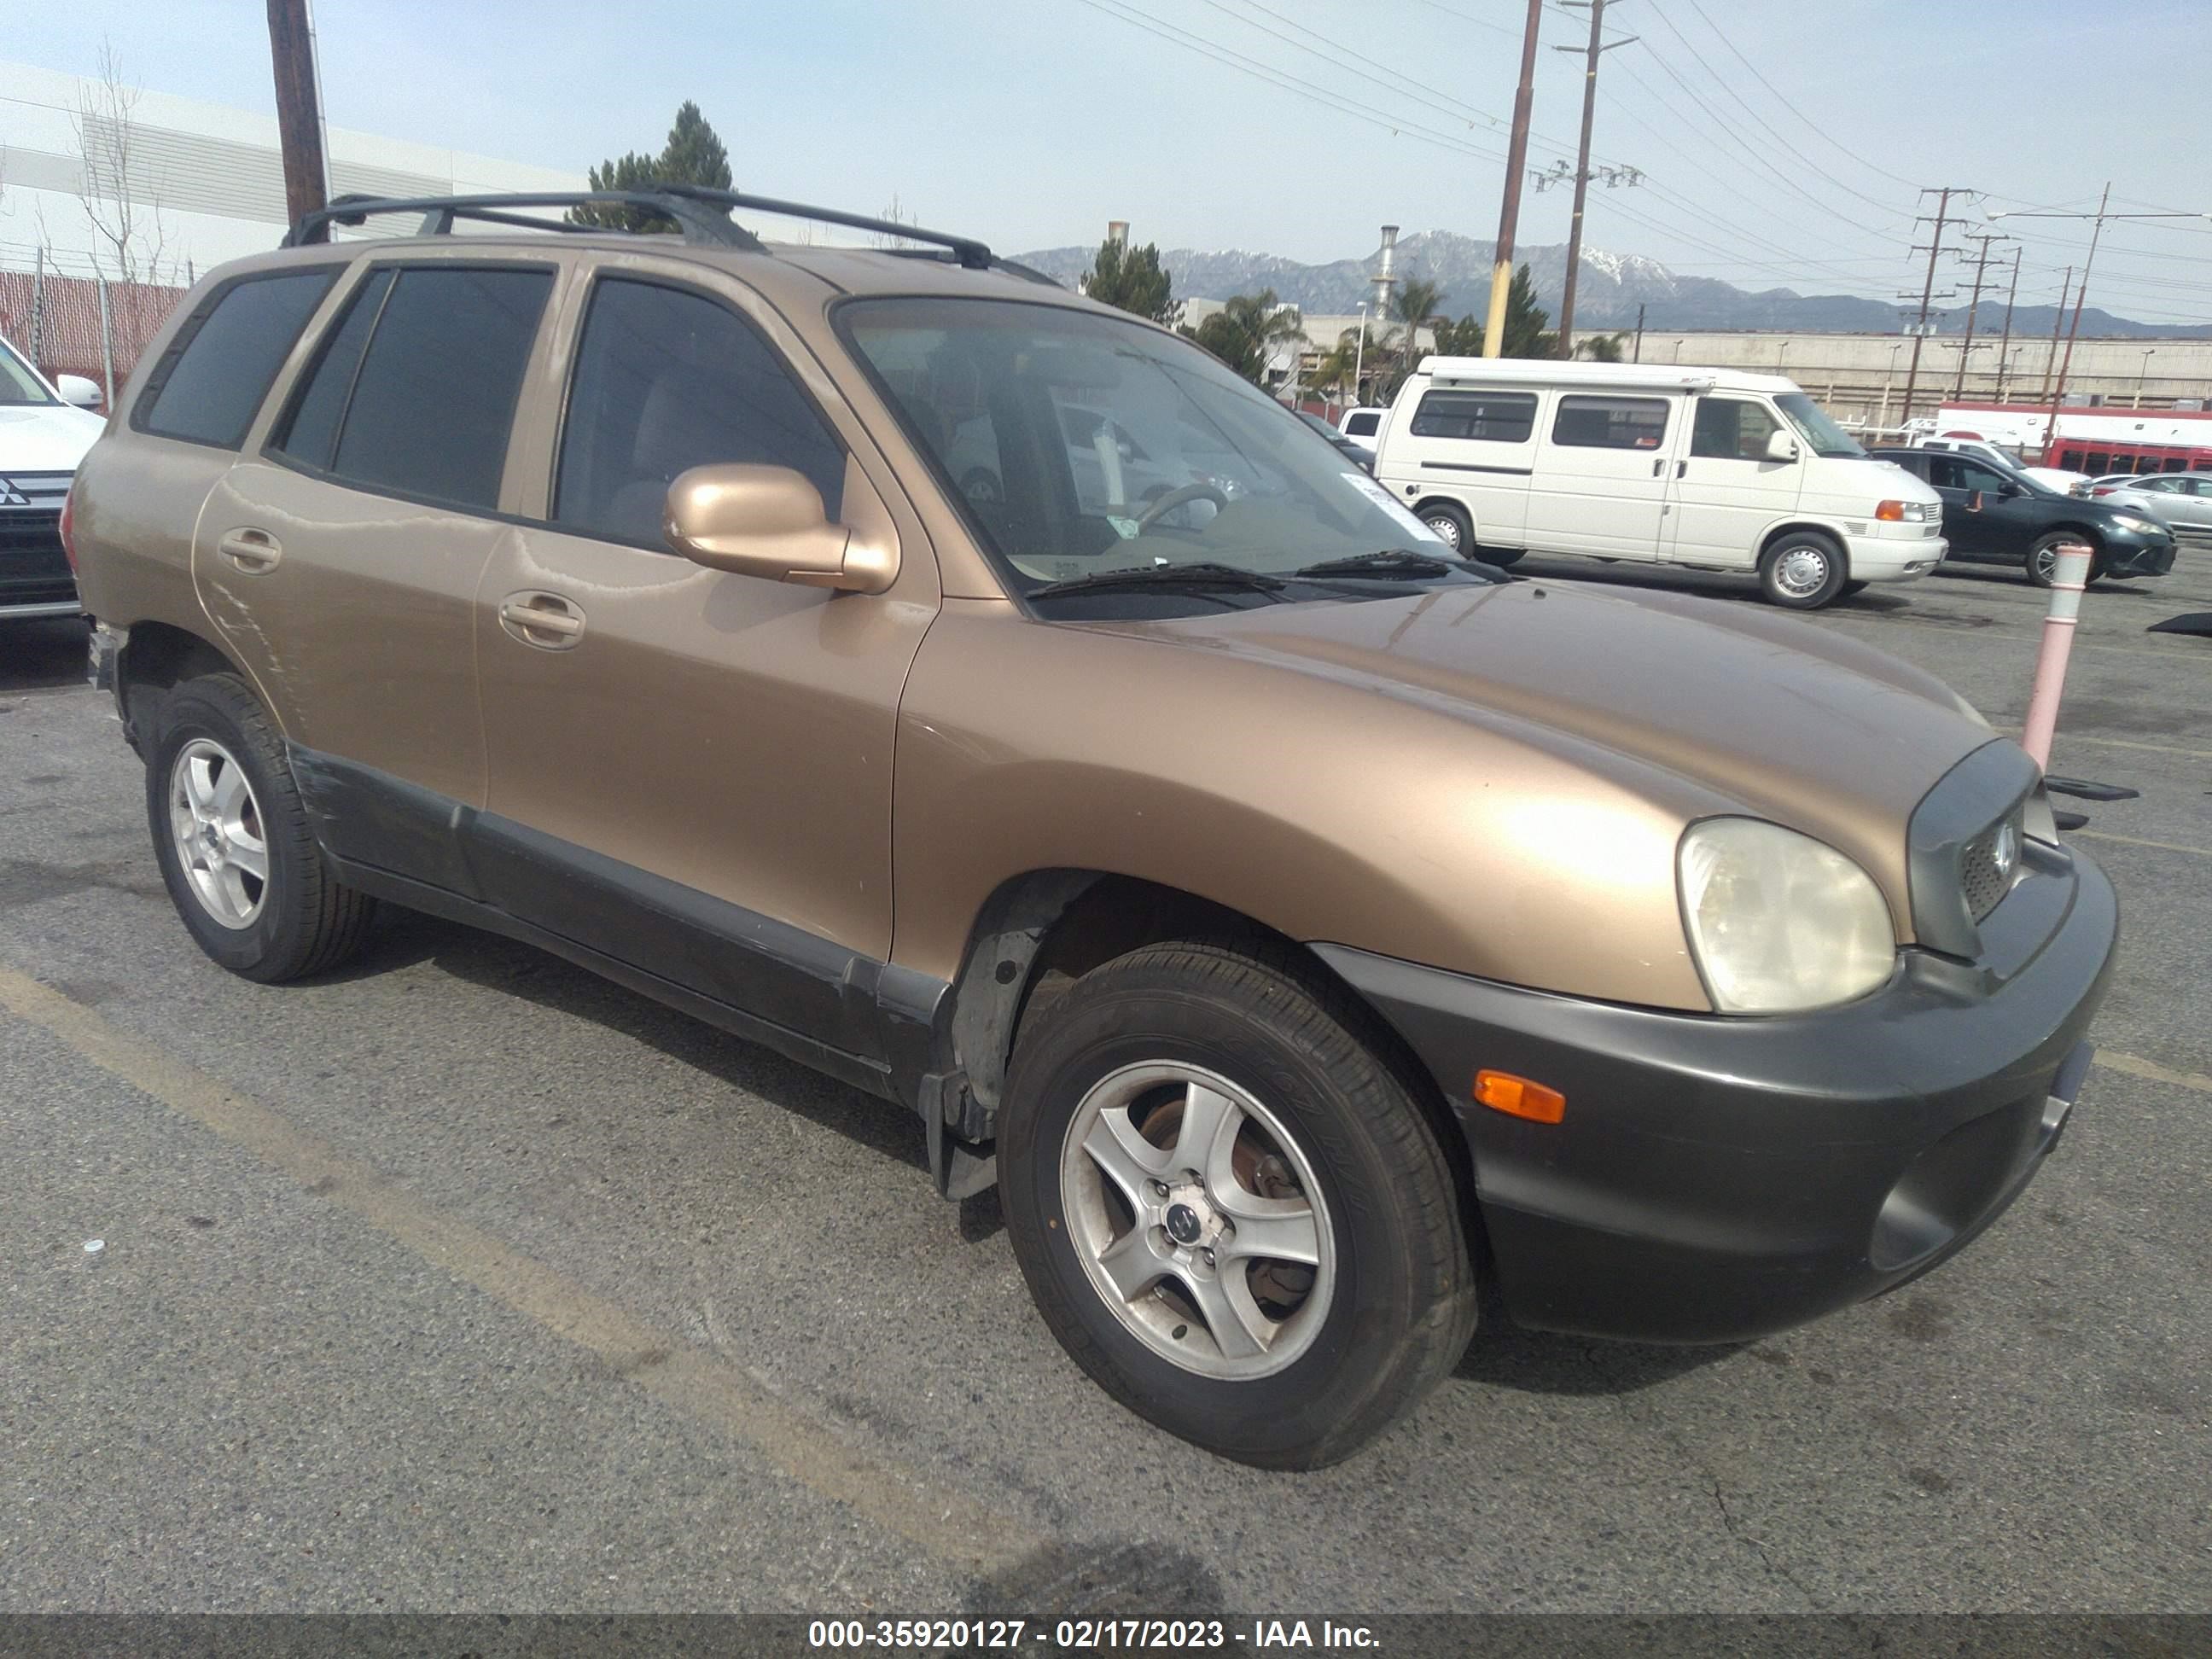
pixel 698 213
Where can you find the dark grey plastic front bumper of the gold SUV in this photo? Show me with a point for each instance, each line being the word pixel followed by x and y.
pixel 1724 1178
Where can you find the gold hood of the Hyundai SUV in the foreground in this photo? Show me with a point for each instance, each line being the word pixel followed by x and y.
pixel 1751 711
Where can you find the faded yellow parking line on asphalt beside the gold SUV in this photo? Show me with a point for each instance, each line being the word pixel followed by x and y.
pixel 720 1395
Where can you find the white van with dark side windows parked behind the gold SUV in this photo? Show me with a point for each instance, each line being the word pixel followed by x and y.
pixel 1662 466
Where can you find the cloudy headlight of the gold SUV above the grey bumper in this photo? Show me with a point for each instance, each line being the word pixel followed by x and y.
pixel 1777 921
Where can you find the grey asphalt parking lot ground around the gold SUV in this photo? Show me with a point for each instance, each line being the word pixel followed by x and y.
pixel 468 1282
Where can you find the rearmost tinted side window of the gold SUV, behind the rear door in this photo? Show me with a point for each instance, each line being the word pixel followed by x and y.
pixel 211 379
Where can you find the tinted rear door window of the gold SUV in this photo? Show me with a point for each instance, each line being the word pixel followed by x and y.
pixel 417 390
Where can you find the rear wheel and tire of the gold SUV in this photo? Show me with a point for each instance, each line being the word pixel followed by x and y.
pixel 220 804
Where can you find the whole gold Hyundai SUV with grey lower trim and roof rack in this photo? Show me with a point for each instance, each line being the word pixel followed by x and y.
pixel 994 702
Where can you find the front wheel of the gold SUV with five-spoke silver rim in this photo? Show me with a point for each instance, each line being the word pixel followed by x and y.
pixel 1315 1114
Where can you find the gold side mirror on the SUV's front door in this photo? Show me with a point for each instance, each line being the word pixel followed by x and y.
pixel 771 523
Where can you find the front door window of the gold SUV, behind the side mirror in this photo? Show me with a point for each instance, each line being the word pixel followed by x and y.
pixel 665 382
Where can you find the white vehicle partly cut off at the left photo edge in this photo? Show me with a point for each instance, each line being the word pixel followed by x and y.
pixel 45 432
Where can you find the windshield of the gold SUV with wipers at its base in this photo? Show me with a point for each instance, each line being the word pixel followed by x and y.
pixel 1083 446
